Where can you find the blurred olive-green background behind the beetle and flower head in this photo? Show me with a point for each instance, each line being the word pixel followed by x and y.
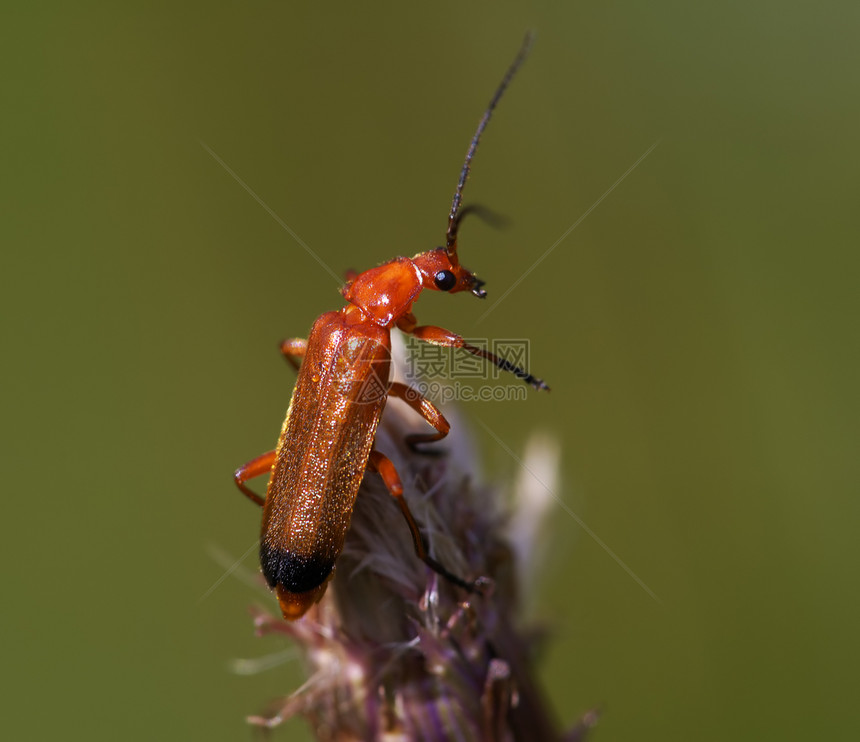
pixel 699 329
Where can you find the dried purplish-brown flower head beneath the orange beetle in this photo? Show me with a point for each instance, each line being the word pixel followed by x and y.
pixel 396 652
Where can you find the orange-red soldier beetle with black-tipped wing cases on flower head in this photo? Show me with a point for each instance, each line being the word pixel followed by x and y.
pixel 326 441
